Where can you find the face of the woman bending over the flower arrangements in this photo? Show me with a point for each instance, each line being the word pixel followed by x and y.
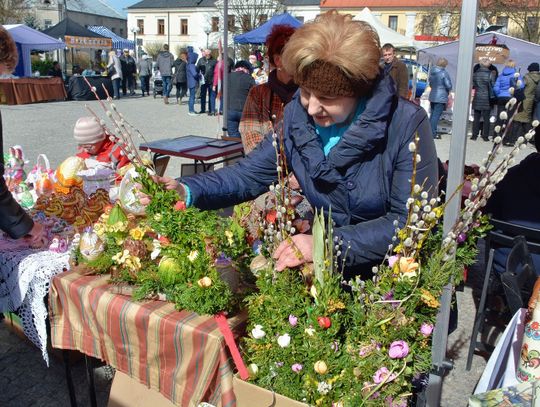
pixel 327 110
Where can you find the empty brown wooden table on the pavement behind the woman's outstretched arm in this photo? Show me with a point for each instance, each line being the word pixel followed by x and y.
pixel 202 150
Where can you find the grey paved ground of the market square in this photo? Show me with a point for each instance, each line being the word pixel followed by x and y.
pixel 47 128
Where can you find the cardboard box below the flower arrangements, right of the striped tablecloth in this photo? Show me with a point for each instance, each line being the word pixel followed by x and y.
pixel 250 395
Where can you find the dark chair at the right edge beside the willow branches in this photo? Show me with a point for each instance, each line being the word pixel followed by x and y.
pixel 503 235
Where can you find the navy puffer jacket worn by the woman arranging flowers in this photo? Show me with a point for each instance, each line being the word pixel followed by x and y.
pixel 365 178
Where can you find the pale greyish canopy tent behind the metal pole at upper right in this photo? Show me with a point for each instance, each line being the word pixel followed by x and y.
pixel 521 51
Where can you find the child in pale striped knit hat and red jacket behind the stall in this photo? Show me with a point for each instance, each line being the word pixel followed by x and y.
pixel 93 142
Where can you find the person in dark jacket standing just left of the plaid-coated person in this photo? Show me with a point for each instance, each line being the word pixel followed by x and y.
pixel 240 83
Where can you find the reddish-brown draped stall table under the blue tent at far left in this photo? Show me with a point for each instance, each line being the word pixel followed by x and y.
pixel 31 90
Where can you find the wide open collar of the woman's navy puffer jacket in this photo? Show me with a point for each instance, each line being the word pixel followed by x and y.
pixel 366 133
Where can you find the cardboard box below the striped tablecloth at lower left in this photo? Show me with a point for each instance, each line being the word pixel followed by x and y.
pixel 128 392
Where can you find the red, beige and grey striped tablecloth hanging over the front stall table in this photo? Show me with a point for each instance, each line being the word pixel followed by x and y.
pixel 178 353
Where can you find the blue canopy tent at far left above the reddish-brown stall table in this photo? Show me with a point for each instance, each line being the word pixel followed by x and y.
pixel 28 39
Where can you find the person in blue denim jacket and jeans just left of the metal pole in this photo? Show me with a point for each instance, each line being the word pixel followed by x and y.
pixel 441 85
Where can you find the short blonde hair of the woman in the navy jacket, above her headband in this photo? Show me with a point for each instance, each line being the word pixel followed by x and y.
pixel 335 39
